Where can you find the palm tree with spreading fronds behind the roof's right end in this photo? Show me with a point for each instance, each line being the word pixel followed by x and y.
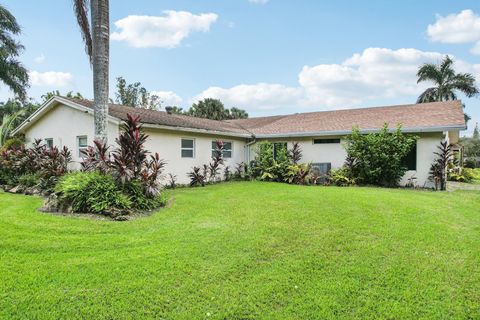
pixel 447 82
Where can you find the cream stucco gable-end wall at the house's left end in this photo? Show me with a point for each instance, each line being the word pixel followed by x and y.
pixel 64 124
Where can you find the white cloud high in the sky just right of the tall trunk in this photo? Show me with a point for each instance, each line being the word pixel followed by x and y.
pixel 166 31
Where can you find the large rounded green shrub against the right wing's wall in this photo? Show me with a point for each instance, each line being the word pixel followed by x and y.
pixel 378 157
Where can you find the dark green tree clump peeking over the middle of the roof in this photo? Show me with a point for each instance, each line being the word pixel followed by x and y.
pixel 214 109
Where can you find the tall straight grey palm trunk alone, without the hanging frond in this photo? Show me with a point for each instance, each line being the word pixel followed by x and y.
pixel 101 42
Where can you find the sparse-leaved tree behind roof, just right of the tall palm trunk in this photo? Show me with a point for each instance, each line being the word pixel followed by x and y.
pixel 135 95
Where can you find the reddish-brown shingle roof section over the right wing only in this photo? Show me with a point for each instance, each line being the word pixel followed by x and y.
pixel 413 117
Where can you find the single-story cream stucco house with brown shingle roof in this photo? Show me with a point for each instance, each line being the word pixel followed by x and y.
pixel 185 141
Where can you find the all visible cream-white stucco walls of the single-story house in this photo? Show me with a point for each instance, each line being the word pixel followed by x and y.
pixel 65 124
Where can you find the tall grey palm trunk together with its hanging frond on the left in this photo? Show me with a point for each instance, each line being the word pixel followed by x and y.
pixel 96 38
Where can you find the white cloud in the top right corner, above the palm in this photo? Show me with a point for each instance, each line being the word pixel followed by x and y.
pixel 463 27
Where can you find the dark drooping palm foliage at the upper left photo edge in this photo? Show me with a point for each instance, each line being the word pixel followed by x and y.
pixel 12 72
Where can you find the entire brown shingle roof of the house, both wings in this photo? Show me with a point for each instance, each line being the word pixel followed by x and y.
pixel 420 117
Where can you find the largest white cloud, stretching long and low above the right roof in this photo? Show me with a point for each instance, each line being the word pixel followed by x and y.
pixel 376 73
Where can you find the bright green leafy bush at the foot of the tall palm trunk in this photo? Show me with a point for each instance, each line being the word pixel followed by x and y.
pixel 91 192
